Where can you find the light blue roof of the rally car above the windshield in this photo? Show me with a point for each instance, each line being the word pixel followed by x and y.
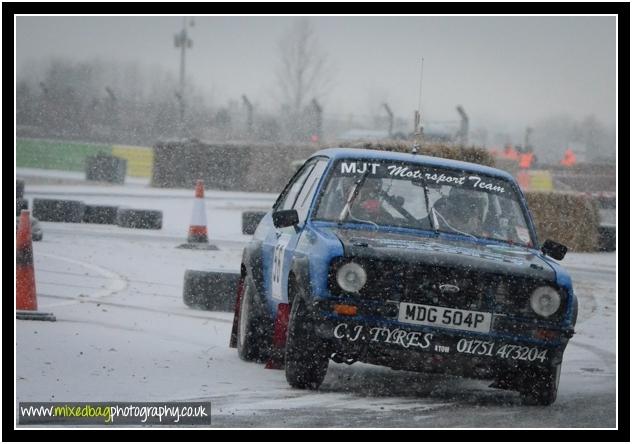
pixel 357 153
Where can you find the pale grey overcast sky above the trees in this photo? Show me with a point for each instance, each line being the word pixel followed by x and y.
pixel 503 70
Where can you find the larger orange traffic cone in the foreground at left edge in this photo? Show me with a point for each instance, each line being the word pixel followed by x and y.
pixel 25 294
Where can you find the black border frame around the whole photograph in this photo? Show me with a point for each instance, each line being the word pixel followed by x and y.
pixel 621 434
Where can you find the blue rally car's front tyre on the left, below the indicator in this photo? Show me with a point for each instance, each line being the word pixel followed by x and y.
pixel 306 360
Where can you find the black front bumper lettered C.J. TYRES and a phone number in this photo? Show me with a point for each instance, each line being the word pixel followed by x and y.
pixel 384 341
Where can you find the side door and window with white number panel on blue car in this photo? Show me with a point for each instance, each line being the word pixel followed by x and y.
pixel 282 242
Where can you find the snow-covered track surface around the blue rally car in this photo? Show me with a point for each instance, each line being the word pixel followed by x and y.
pixel 123 333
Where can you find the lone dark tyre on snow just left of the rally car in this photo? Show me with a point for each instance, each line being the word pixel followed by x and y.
pixel 210 290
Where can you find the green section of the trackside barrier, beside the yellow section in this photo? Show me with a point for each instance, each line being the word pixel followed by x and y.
pixel 55 155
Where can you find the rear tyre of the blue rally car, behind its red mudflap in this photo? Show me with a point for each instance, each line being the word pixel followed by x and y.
pixel 253 334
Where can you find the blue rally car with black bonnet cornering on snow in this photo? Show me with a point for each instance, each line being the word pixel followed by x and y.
pixel 407 261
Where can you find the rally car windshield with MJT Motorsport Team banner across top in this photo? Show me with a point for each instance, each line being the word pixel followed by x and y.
pixel 383 193
